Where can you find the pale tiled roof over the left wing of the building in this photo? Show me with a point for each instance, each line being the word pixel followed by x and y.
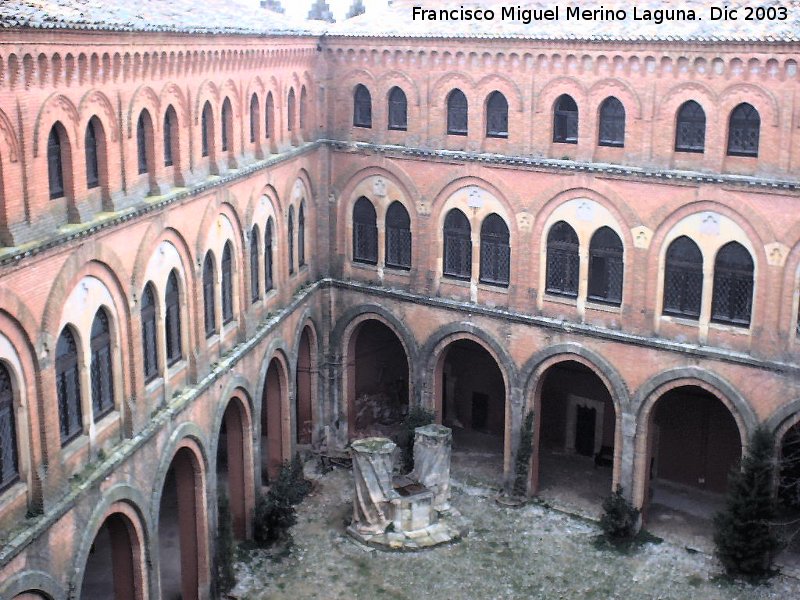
pixel 186 16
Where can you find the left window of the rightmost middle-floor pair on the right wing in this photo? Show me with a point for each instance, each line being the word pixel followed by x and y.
pixel 683 279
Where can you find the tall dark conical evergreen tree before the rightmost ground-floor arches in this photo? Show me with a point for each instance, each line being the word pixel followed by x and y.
pixel 743 535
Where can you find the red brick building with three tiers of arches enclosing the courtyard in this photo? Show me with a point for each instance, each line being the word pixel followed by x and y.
pixel 217 249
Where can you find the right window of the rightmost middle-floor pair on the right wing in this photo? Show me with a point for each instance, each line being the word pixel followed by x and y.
pixel 732 300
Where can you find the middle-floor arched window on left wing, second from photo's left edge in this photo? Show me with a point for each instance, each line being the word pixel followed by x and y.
pixel 68 388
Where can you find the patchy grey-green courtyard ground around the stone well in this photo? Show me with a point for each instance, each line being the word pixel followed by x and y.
pixel 529 552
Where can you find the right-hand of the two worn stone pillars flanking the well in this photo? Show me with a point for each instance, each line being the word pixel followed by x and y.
pixel 432 447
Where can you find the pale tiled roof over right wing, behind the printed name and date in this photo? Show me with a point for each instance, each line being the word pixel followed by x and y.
pixel 396 21
